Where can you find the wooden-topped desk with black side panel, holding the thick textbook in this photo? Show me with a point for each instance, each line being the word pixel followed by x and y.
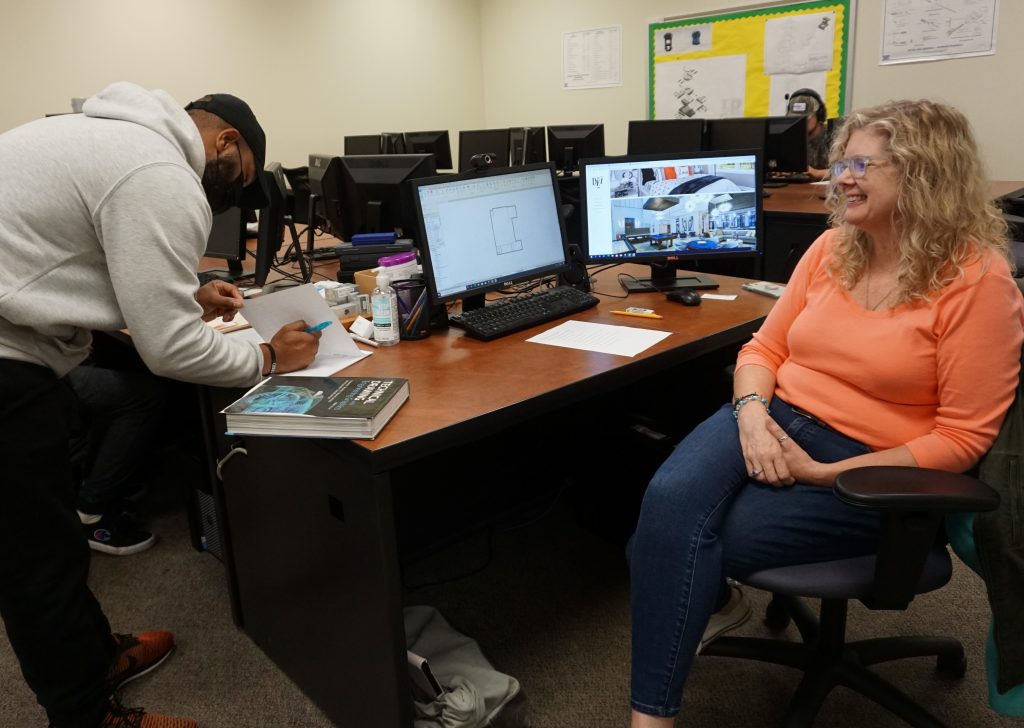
pixel 310 528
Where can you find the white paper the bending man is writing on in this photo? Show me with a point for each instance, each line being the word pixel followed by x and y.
pixel 269 314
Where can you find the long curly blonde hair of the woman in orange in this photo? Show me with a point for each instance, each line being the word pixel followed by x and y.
pixel 944 217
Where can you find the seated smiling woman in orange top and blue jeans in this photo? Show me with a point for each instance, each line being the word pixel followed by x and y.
pixel 897 342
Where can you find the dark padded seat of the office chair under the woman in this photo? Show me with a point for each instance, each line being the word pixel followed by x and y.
pixel 844 579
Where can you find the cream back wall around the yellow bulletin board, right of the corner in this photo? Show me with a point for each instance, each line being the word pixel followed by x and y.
pixel 522 53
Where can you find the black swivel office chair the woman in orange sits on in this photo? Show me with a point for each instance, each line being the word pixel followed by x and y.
pixel 912 560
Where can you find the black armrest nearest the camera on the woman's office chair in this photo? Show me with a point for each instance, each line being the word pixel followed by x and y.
pixel 899 488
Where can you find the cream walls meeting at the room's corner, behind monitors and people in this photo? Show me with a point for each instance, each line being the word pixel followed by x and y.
pixel 317 70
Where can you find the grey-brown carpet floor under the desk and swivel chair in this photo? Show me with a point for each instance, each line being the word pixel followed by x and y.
pixel 551 609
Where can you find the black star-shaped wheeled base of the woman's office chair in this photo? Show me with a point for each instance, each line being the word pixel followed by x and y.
pixel 828 661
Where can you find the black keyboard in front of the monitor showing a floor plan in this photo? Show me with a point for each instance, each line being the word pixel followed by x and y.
pixel 510 316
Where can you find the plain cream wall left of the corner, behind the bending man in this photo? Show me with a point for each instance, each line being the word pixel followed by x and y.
pixel 313 70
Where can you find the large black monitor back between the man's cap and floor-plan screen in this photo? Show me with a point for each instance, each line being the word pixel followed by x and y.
pixel 368 193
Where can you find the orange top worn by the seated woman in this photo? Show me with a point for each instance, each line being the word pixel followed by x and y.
pixel 936 377
